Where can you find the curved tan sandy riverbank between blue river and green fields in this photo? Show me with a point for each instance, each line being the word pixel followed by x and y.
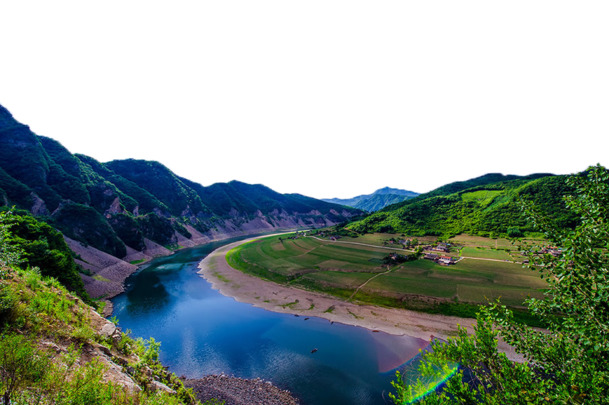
pixel 275 297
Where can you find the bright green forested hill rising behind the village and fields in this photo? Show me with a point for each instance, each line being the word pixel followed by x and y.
pixel 487 205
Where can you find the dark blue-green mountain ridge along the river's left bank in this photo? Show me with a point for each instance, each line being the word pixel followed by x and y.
pixel 135 209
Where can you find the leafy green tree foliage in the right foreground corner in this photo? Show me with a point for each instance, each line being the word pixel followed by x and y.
pixel 568 363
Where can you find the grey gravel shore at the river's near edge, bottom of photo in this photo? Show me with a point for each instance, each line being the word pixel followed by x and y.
pixel 239 391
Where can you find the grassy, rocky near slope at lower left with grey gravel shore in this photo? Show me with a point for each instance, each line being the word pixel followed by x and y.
pixel 56 349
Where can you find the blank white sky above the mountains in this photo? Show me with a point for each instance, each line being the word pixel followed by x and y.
pixel 324 98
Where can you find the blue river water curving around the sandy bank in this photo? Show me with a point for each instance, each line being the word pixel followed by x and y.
pixel 203 332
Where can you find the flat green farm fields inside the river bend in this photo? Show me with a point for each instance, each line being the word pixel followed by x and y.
pixel 351 269
